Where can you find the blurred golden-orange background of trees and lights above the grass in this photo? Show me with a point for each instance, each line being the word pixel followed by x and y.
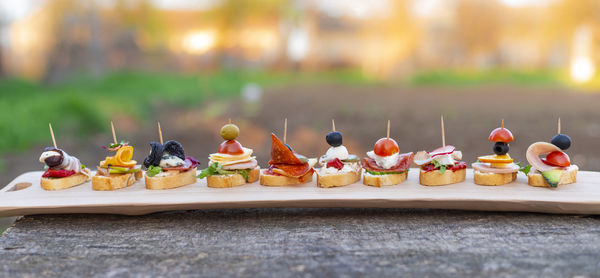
pixel 383 38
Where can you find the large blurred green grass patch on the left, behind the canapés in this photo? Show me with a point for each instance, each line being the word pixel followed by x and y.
pixel 85 103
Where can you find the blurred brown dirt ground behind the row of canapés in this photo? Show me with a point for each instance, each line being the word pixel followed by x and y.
pixel 360 113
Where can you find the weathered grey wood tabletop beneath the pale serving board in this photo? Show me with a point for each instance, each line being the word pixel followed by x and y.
pixel 305 243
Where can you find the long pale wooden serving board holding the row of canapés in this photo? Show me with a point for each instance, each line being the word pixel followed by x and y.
pixel 582 197
